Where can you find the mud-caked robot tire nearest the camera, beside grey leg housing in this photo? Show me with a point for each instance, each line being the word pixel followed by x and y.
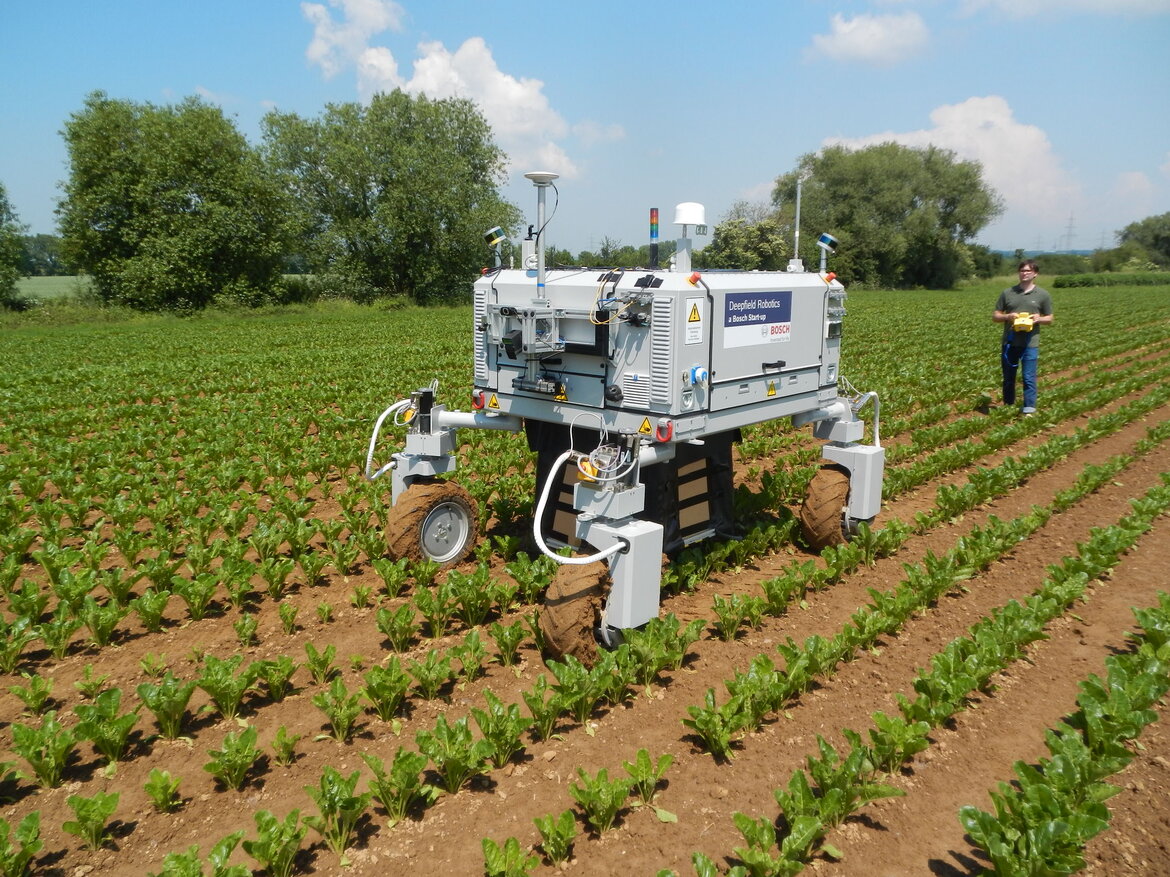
pixel 573 611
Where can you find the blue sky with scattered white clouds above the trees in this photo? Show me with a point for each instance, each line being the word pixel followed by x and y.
pixel 1066 103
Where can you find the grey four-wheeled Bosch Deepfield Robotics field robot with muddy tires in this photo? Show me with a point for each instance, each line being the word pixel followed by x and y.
pixel 632 386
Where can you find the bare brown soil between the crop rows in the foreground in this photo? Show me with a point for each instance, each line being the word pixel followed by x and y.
pixel 918 833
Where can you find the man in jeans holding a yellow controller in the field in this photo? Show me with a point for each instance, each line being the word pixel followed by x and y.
pixel 1023 309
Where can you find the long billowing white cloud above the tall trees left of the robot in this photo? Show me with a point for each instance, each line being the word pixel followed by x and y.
pixel 524 122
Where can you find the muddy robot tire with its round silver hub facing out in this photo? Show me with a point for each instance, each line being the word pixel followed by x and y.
pixel 435 521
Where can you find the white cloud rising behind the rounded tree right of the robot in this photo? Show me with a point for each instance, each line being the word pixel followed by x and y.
pixel 1018 161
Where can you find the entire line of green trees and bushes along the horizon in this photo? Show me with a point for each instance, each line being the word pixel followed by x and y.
pixel 171 209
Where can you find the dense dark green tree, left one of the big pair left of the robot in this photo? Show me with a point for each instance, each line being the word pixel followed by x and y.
pixel 169 208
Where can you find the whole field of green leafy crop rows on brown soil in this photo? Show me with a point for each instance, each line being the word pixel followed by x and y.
pixel 210 667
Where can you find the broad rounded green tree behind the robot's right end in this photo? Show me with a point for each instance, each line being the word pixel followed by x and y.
pixel 904 217
